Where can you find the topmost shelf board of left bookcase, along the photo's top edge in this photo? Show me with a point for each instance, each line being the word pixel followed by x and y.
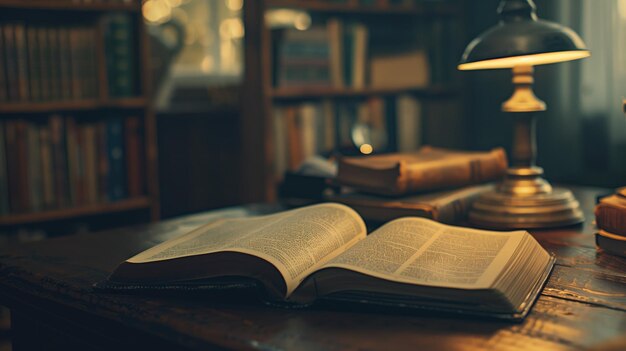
pixel 66 5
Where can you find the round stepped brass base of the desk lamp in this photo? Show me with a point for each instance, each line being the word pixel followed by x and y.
pixel 525 200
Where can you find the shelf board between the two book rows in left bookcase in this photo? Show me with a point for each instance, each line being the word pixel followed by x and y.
pixel 72 105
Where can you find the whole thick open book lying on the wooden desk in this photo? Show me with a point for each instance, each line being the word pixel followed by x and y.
pixel 324 252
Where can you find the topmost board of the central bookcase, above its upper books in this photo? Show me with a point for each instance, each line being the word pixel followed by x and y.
pixel 435 8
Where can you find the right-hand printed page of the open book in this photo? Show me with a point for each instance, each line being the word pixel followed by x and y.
pixel 424 252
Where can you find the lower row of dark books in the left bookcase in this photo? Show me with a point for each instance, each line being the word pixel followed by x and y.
pixel 64 162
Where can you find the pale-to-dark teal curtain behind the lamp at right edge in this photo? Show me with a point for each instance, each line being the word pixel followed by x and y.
pixel 582 138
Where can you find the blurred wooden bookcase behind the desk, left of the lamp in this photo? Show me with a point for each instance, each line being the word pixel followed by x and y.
pixel 269 91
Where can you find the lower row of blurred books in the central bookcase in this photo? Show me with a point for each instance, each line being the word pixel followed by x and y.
pixel 304 130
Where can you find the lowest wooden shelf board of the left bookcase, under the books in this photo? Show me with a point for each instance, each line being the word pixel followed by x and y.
pixel 68 213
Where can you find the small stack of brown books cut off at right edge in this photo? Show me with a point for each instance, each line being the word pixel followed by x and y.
pixel 611 221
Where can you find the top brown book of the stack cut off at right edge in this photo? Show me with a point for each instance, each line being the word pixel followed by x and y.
pixel 611 213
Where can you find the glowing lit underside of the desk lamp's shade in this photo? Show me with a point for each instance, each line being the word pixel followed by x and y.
pixel 526 60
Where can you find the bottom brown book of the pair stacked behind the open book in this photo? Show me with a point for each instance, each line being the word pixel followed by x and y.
pixel 448 206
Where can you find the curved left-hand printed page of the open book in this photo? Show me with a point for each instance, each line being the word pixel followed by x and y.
pixel 296 241
